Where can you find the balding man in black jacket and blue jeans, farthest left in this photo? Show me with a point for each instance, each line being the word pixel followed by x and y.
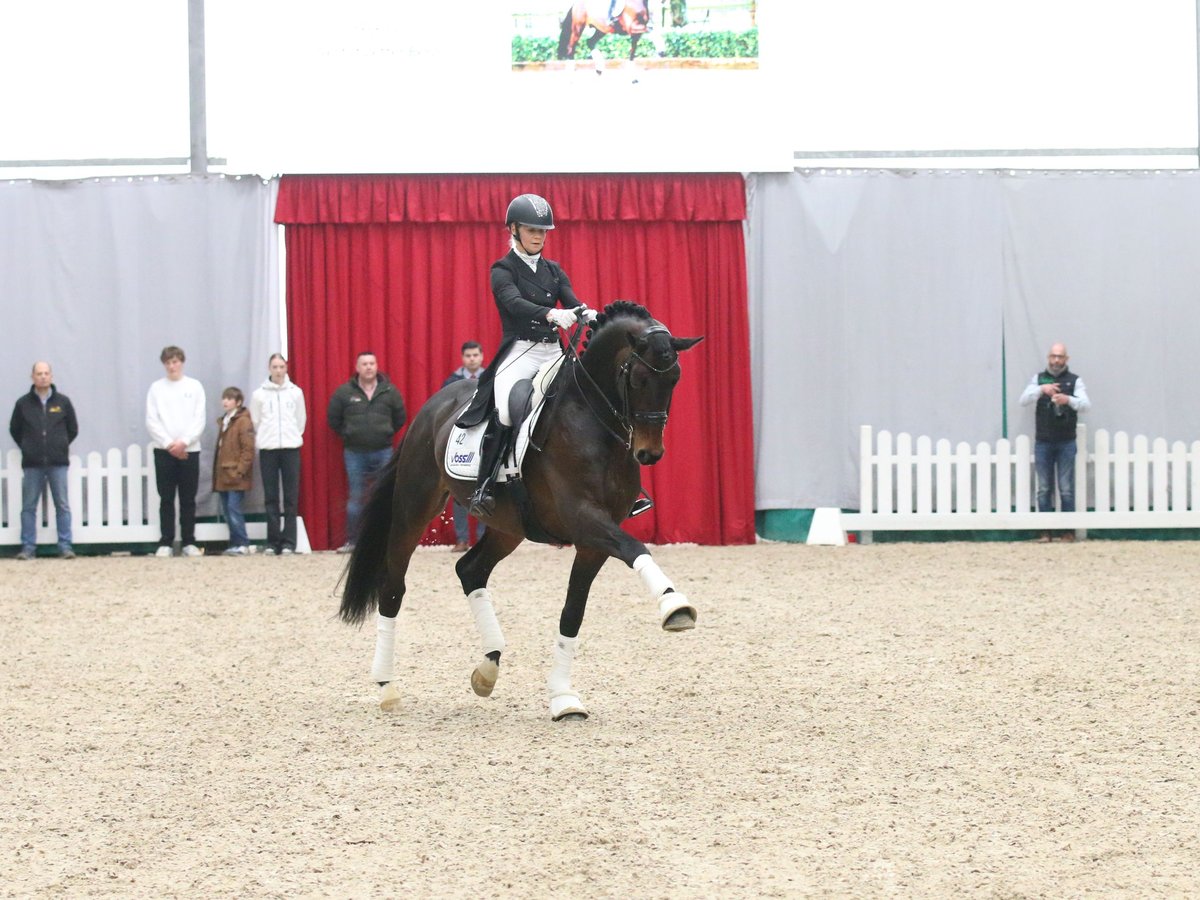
pixel 44 425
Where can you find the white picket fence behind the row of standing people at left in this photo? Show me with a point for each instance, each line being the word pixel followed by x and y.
pixel 113 500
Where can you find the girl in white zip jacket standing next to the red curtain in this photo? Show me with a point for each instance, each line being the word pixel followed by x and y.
pixel 279 415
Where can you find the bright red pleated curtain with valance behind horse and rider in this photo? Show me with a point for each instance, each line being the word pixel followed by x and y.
pixel 399 266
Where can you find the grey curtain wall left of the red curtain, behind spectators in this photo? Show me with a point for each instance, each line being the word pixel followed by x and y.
pixel 98 277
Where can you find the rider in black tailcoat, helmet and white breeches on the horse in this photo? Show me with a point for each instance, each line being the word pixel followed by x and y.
pixel 527 289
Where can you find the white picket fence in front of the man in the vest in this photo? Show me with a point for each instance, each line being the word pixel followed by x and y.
pixel 907 485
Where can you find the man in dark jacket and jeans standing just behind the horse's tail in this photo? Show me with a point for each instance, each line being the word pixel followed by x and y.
pixel 367 413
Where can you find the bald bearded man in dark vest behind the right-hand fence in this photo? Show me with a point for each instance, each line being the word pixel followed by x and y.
pixel 1060 397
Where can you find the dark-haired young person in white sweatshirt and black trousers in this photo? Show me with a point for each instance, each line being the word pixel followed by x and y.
pixel 176 419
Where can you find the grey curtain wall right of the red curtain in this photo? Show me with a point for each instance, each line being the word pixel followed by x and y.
pixel 889 299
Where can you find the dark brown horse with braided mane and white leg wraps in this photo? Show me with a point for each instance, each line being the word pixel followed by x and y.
pixel 604 418
